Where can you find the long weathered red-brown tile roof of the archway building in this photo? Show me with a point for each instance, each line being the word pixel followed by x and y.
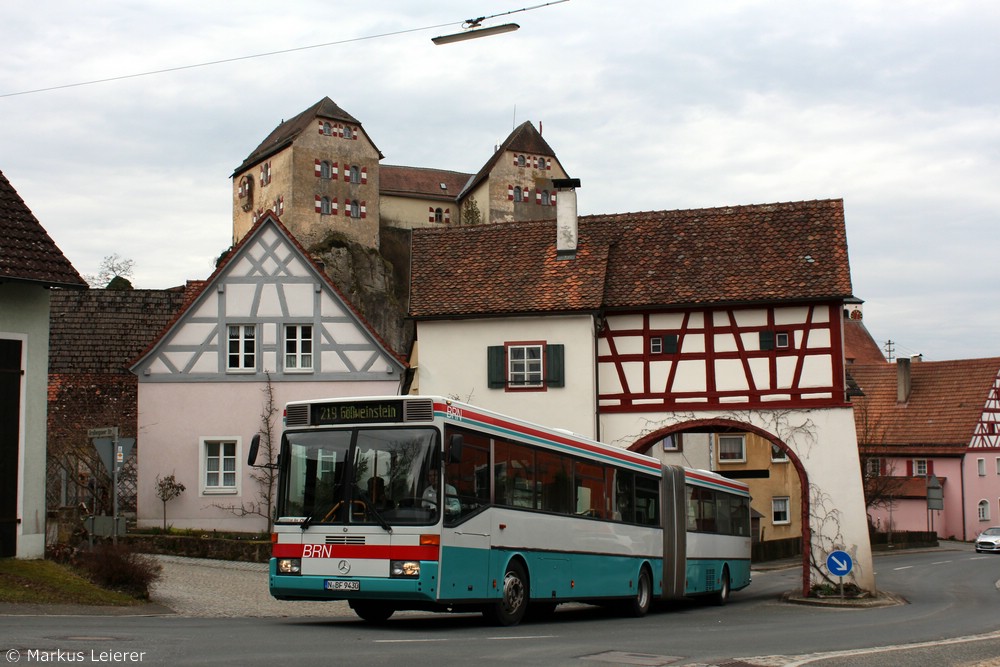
pixel 744 254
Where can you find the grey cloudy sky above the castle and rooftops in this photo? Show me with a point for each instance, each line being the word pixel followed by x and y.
pixel 893 106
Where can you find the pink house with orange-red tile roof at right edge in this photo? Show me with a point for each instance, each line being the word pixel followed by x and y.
pixel 922 423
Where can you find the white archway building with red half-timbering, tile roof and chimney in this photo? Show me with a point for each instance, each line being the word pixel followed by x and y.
pixel 635 327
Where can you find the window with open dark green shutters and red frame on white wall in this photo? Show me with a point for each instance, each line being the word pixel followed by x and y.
pixel 525 366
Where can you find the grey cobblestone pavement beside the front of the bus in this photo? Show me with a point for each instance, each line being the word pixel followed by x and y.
pixel 212 588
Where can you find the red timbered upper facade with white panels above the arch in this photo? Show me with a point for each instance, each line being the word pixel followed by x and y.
pixel 772 357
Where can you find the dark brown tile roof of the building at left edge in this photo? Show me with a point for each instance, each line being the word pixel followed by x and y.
pixel 27 252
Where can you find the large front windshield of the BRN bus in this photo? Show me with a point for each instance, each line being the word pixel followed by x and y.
pixel 379 476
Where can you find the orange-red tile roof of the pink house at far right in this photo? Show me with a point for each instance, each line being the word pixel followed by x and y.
pixel 946 402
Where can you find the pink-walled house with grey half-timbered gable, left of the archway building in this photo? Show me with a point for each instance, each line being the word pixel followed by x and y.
pixel 267 327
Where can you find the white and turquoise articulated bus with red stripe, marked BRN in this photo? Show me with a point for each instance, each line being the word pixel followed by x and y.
pixel 424 503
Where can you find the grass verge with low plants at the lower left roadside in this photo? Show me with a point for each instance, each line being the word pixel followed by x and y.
pixel 47 582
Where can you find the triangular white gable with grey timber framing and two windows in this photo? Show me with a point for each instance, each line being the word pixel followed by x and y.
pixel 269 312
